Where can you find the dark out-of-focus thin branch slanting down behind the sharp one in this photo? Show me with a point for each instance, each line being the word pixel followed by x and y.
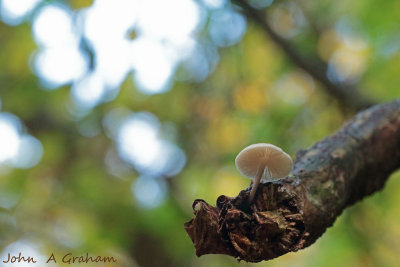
pixel 347 95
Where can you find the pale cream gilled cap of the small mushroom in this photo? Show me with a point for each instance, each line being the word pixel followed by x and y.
pixel 262 155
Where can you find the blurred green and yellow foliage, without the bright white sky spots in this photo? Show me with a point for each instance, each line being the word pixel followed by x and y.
pixel 71 202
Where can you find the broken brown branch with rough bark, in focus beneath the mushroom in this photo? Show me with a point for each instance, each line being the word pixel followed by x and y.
pixel 292 213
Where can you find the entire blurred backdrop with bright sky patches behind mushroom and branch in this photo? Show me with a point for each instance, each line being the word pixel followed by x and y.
pixel 116 115
